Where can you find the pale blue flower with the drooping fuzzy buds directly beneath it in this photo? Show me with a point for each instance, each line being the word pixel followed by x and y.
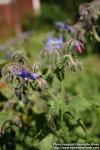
pixel 52 51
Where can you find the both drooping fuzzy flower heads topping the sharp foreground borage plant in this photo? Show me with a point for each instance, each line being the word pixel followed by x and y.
pixel 55 58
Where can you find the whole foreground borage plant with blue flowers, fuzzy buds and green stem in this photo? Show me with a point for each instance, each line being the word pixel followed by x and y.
pixel 26 80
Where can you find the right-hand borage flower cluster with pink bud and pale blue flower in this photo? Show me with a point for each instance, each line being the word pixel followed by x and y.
pixel 66 55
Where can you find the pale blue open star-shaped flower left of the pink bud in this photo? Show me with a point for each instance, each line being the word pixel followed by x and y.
pixel 54 43
